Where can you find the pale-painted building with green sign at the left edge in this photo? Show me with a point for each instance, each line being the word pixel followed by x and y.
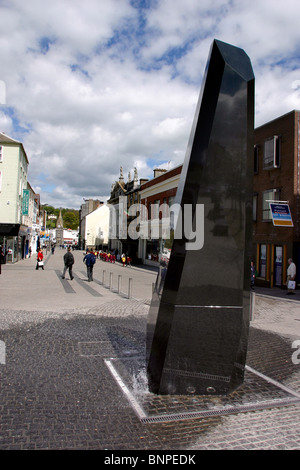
pixel 13 182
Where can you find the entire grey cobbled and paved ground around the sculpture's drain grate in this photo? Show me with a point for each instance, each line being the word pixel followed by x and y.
pixel 56 391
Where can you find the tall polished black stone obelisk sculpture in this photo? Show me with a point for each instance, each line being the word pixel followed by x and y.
pixel 197 329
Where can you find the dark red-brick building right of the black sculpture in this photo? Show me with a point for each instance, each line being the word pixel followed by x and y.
pixel 277 178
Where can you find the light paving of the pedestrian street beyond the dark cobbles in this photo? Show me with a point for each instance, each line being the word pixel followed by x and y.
pixel 45 289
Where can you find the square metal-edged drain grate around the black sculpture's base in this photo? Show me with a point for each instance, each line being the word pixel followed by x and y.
pixel 260 392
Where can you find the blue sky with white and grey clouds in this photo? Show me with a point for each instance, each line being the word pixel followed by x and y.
pixel 90 86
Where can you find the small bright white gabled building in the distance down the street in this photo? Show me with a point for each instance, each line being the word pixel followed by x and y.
pixel 97 228
